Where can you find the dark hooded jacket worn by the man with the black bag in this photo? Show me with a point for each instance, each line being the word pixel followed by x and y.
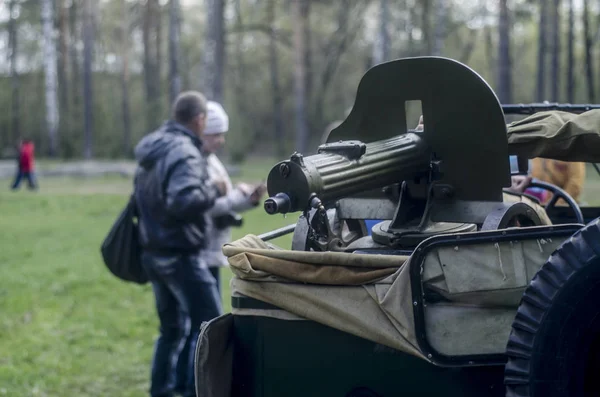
pixel 172 190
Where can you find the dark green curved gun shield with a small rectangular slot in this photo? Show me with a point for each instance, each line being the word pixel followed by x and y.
pixel 463 121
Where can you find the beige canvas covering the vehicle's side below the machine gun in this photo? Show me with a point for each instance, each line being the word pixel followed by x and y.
pixel 481 282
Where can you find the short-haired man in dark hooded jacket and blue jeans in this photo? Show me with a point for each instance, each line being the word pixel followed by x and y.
pixel 173 193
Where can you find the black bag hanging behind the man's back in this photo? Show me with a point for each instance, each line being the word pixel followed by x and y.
pixel 121 249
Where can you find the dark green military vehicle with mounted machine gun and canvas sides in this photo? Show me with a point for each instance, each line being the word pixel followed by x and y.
pixel 461 289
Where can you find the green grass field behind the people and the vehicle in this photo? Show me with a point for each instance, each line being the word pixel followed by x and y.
pixel 67 326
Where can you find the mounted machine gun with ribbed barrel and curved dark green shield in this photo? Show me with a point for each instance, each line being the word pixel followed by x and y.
pixel 419 183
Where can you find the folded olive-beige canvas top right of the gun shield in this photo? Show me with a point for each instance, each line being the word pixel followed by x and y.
pixel 557 135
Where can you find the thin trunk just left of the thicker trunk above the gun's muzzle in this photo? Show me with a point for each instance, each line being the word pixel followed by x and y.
pixel 278 128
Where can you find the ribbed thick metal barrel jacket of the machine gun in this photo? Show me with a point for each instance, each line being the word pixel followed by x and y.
pixel 331 176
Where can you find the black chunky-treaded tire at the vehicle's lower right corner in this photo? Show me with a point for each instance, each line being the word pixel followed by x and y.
pixel 554 345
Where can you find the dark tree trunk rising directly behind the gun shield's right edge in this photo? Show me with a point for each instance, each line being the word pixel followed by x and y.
pixel 504 59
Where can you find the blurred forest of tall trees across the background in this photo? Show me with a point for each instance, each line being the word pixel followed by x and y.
pixel 86 79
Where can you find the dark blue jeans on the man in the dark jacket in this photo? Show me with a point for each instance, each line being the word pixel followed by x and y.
pixel 186 295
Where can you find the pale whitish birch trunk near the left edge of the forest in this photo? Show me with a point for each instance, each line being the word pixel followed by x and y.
pixel 51 78
